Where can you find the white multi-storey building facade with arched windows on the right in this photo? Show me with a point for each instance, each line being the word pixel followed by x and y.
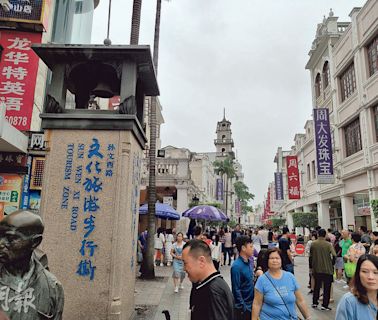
pixel 343 65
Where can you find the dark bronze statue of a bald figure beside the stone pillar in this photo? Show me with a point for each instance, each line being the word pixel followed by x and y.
pixel 27 290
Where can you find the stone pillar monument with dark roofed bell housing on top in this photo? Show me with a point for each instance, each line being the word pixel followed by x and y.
pixel 90 195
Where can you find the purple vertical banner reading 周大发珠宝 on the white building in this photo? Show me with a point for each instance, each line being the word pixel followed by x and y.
pixel 323 146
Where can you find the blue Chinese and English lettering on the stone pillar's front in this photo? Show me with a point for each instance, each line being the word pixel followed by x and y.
pixel 90 166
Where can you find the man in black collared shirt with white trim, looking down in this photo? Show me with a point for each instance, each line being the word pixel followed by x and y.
pixel 211 297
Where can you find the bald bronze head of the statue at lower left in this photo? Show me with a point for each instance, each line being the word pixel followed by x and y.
pixel 20 233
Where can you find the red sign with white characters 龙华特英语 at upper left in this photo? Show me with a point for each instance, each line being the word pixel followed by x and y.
pixel 18 72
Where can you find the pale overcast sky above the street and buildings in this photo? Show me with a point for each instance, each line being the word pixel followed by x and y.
pixel 247 56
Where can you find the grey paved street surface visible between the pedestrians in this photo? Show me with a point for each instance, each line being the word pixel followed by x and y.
pixel 156 296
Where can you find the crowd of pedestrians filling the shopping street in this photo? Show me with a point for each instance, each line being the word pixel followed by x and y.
pixel 263 282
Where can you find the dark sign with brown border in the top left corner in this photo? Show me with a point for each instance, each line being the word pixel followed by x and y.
pixel 26 11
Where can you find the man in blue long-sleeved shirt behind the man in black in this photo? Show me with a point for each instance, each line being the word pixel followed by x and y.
pixel 242 279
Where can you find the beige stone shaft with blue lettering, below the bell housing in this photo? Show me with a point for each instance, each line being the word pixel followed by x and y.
pixel 90 202
